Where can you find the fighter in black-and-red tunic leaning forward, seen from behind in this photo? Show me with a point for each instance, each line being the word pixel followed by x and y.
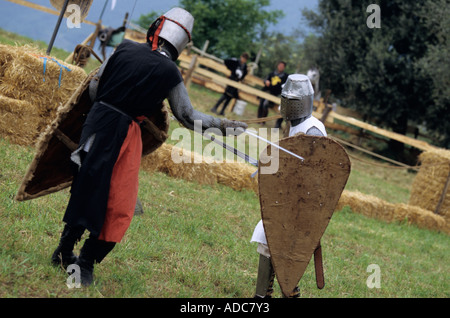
pixel 134 82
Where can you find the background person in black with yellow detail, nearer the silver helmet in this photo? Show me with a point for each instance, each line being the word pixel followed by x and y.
pixel 273 84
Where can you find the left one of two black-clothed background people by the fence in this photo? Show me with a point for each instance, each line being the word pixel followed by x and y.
pixel 238 70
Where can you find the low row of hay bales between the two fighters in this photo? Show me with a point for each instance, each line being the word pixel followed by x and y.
pixel 194 168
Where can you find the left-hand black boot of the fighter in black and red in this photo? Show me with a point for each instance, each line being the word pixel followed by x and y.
pixel 63 255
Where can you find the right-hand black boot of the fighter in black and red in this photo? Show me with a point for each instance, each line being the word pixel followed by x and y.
pixel 92 252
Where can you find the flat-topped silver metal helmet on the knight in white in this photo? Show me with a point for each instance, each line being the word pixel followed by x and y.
pixel 297 97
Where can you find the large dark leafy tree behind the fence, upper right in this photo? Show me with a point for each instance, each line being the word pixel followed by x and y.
pixel 374 70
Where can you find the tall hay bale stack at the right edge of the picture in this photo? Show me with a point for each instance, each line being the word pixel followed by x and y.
pixel 430 184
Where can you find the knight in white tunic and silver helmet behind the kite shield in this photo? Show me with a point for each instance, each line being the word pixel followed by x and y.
pixel 297 107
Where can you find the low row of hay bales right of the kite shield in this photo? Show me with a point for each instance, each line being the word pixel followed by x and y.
pixel 374 207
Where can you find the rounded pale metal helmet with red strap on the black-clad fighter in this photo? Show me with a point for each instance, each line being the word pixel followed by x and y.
pixel 175 26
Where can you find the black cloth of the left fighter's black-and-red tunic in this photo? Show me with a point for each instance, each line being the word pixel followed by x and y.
pixel 136 80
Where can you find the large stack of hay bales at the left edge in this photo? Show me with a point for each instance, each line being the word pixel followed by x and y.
pixel 32 86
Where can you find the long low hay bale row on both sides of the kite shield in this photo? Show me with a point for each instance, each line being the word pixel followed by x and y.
pixel 238 177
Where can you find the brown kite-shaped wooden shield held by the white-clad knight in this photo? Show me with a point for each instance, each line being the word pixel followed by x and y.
pixel 298 200
